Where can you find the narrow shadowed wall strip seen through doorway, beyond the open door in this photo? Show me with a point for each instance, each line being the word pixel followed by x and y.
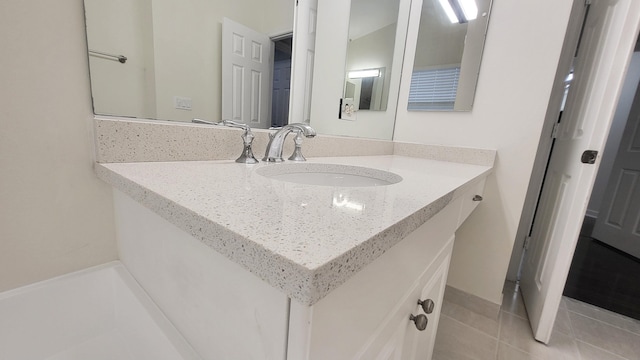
pixel 615 135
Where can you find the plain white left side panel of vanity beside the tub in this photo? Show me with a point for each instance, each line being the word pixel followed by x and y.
pixel 224 311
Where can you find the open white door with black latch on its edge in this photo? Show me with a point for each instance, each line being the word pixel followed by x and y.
pixel 605 48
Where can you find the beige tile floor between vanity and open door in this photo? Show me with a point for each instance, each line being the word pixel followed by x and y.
pixel 582 332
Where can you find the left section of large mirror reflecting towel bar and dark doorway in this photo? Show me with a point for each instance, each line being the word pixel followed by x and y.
pixel 173 52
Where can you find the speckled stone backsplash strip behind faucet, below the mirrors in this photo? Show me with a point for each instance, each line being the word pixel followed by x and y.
pixel 120 140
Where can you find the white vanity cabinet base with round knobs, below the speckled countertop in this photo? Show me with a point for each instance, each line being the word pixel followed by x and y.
pixel 223 310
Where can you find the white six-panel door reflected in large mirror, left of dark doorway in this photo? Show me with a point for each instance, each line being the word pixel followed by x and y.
pixel 246 75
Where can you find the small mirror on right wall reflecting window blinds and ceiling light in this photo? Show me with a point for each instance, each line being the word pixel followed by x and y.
pixel 448 54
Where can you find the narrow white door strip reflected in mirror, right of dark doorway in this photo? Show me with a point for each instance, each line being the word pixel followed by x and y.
pixel 304 44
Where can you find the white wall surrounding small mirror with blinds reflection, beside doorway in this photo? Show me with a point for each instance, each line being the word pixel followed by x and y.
pixel 517 72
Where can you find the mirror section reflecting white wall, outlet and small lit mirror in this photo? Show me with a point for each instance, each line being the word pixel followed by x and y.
pixel 359 53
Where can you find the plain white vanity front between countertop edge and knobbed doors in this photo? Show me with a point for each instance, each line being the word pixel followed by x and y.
pixel 344 321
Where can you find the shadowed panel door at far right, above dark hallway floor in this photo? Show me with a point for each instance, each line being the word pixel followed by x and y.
pixel 618 224
